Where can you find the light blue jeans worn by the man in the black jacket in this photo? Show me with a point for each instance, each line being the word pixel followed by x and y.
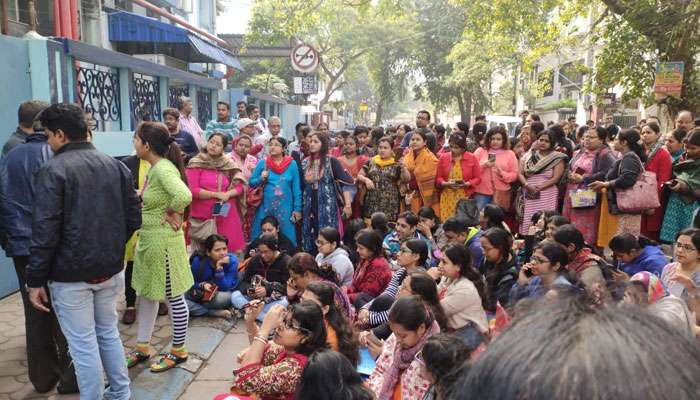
pixel 88 317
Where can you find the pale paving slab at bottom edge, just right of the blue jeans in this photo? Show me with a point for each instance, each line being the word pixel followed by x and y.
pixel 165 385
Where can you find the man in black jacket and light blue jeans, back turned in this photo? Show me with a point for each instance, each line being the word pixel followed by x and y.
pixel 81 222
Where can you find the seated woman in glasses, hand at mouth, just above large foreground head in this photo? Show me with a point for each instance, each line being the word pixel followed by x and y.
pixel 546 269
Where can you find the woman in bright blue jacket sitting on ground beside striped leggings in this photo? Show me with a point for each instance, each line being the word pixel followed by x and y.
pixel 215 266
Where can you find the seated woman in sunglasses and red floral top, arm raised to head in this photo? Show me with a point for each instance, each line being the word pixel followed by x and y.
pixel 272 369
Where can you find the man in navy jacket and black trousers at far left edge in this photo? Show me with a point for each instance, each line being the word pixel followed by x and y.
pixel 47 351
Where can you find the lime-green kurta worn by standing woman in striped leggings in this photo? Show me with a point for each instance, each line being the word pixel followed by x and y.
pixel 157 242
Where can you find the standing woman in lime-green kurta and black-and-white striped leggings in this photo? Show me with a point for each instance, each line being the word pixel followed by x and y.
pixel 161 268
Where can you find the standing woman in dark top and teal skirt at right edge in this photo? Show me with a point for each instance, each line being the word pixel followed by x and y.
pixel 683 202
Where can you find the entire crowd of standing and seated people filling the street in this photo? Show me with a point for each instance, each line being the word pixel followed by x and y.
pixel 458 263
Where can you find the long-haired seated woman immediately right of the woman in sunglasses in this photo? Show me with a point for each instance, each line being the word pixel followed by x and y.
pixel 339 334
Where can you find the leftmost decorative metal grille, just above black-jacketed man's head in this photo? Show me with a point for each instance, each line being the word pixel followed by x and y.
pixel 98 92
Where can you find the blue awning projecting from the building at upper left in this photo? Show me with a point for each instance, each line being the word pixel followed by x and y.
pixel 137 34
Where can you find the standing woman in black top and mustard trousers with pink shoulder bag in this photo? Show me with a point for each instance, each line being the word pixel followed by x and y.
pixel 623 175
